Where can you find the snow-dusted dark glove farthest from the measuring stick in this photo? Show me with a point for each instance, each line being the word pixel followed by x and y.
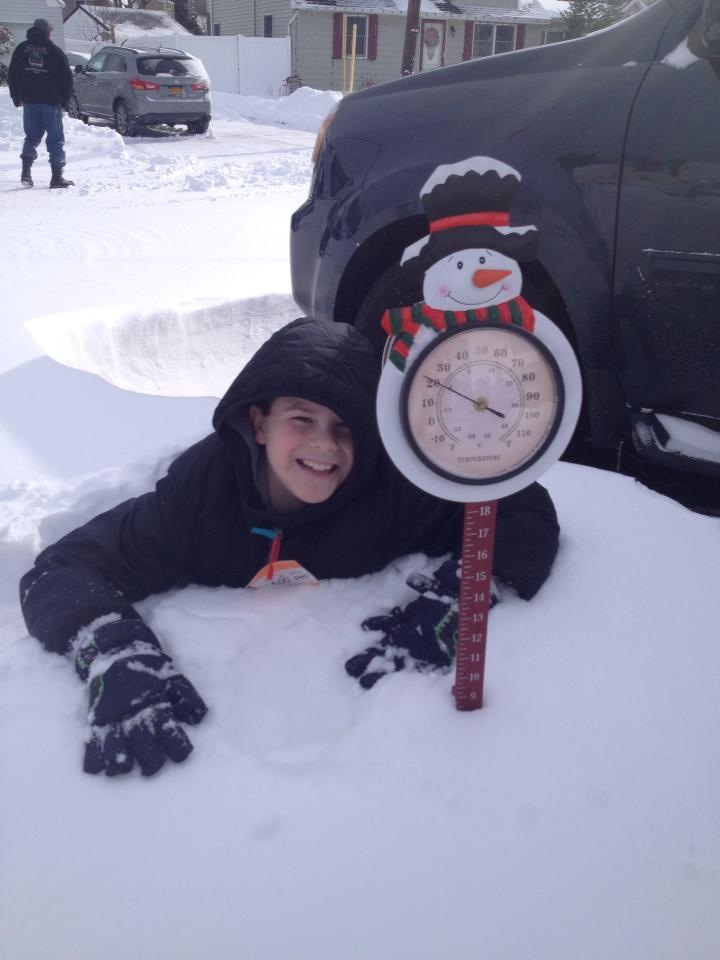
pixel 137 699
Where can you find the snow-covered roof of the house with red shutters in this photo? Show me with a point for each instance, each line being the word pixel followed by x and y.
pixel 449 9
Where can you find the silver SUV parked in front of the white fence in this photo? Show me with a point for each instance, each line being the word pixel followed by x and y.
pixel 137 88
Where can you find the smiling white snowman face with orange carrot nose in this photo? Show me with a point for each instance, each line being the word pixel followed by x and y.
pixel 470 279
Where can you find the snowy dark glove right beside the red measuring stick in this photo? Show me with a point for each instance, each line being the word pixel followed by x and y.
pixel 422 634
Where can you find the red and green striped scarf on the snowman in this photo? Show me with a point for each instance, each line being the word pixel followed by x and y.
pixel 403 323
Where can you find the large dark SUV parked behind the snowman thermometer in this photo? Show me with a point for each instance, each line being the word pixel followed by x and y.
pixel 617 139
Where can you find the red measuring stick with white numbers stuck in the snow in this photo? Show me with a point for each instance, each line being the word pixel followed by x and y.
pixel 475 589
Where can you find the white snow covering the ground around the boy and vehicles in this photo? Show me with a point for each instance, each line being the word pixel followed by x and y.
pixel 574 816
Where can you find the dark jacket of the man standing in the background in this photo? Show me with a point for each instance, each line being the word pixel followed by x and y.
pixel 39 72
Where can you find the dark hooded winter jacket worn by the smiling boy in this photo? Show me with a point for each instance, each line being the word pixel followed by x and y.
pixel 197 526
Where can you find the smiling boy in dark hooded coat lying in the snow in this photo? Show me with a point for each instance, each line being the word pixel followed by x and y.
pixel 292 486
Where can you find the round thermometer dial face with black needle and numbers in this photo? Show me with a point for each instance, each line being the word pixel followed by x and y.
pixel 482 403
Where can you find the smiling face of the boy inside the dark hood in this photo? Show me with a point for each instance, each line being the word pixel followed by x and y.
pixel 309 451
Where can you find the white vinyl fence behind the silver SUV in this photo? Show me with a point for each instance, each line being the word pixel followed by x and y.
pixel 254 66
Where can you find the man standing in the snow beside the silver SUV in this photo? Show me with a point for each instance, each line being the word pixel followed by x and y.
pixel 41 82
